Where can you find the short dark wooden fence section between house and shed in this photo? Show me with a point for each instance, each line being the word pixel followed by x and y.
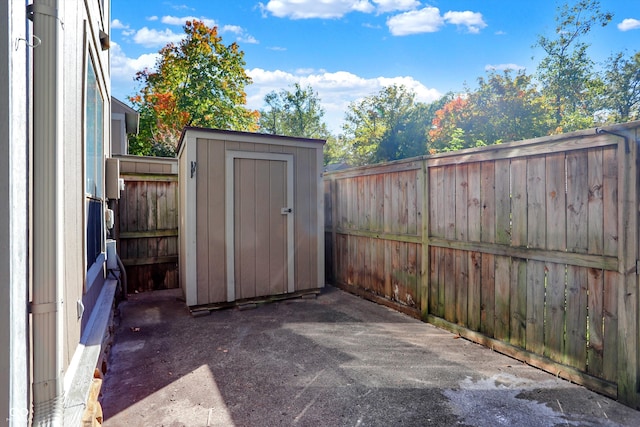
pixel 147 222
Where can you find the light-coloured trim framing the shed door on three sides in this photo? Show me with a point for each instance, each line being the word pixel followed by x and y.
pixel 230 156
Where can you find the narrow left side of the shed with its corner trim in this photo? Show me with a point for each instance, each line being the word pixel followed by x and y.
pixel 189 222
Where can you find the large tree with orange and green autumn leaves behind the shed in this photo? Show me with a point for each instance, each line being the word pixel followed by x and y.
pixel 198 82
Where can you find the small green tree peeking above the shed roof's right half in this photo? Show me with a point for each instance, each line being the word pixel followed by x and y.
pixel 295 112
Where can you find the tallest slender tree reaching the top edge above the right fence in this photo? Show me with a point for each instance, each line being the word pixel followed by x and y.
pixel 566 71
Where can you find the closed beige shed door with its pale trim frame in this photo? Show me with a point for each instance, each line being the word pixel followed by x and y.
pixel 260 224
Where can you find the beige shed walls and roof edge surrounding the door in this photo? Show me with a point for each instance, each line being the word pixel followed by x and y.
pixel 203 208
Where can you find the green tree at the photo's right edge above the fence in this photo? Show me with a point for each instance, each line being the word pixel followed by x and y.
pixel 622 82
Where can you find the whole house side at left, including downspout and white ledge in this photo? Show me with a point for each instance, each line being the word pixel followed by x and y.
pixel 52 334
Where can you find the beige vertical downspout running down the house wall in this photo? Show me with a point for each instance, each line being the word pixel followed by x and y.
pixel 47 237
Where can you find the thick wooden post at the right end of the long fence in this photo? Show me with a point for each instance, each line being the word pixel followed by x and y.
pixel 628 298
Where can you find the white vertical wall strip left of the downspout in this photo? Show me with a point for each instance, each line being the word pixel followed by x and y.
pixel 14 386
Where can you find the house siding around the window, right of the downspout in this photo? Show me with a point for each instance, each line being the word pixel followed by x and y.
pixel 83 21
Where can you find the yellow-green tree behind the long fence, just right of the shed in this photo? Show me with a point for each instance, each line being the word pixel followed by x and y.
pixel 386 126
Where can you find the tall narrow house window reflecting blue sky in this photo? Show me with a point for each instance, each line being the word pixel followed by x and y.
pixel 94 161
